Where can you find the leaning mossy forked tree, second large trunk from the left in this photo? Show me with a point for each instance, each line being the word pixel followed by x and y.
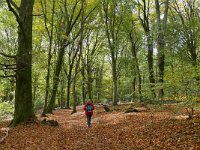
pixel 66 25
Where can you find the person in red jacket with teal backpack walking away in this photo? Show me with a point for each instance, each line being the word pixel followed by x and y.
pixel 89 107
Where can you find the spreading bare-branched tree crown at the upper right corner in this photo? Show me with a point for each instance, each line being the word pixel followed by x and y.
pixel 188 15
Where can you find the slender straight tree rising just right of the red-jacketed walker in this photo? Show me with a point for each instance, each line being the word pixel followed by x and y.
pixel 112 30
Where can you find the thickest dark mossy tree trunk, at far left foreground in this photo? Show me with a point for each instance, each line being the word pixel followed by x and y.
pixel 23 96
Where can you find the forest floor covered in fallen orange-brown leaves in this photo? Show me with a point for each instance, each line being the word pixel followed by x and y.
pixel 150 128
